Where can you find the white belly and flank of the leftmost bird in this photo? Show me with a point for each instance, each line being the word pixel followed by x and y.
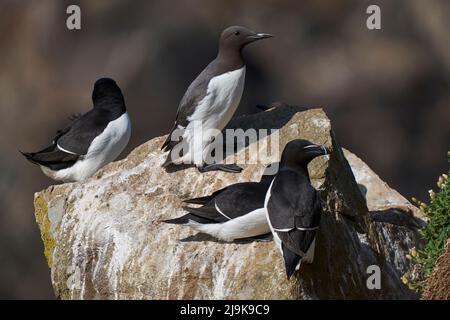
pixel 105 148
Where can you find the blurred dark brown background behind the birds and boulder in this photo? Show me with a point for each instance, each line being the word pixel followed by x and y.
pixel 386 91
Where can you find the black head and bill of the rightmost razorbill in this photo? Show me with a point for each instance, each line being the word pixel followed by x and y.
pixel 298 153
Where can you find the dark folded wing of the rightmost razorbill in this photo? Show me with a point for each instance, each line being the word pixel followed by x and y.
pixel 294 211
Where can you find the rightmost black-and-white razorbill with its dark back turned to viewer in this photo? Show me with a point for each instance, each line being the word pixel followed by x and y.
pixel 293 206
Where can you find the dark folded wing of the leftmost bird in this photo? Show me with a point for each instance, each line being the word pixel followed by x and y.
pixel 83 130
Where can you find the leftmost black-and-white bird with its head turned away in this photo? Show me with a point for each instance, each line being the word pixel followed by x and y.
pixel 90 141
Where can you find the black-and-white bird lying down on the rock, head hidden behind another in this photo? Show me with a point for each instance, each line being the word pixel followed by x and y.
pixel 232 213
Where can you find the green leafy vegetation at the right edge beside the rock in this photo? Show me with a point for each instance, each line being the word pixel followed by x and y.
pixel 435 234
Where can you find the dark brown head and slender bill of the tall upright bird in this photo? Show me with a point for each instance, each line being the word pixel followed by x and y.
pixel 236 38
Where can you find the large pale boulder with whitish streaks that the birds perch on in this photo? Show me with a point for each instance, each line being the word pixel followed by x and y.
pixel 104 239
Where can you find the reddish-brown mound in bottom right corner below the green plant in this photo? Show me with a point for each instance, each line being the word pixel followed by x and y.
pixel 437 285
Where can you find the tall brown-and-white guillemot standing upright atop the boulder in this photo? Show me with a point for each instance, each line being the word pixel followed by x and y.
pixel 210 102
